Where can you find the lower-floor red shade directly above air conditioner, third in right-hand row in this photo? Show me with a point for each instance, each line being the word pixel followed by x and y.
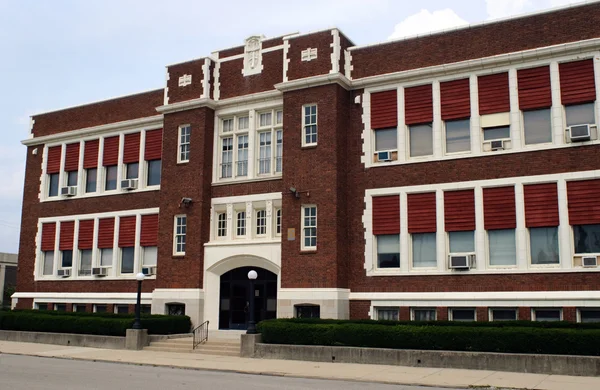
pixel 459 210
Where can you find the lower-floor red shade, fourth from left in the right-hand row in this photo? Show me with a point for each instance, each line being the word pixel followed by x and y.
pixel 499 210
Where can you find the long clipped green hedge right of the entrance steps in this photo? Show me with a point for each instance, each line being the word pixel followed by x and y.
pixel 456 337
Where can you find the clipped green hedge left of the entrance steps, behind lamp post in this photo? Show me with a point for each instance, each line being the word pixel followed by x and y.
pixel 106 324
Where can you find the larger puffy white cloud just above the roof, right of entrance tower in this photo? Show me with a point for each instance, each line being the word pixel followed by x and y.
pixel 426 21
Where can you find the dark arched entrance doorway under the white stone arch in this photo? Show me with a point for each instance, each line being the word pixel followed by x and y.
pixel 235 295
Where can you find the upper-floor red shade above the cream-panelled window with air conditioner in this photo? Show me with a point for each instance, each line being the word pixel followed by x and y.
pixel 493 93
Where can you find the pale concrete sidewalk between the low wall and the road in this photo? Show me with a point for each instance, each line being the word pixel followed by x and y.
pixel 354 372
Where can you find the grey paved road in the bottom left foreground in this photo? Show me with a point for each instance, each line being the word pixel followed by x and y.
pixel 32 373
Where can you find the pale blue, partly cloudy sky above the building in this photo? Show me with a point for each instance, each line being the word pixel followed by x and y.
pixel 64 53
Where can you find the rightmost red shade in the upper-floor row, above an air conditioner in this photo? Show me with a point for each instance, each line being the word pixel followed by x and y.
pixel 577 83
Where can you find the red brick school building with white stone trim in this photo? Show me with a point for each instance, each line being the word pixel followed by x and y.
pixel 449 176
